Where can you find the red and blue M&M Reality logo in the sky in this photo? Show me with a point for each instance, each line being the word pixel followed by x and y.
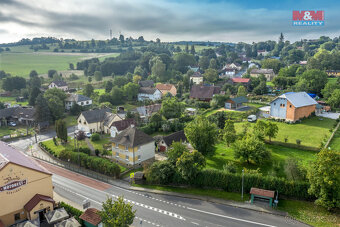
pixel 308 18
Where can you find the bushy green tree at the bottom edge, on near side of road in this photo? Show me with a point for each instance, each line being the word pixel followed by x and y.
pixel 117 213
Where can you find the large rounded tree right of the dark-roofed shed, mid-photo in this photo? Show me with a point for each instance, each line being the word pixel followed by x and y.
pixel 201 134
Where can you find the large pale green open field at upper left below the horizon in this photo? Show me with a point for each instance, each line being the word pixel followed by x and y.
pixel 21 64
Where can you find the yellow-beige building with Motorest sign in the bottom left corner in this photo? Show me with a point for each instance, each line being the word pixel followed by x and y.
pixel 26 190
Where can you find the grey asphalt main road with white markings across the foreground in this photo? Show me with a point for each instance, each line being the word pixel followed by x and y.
pixel 164 210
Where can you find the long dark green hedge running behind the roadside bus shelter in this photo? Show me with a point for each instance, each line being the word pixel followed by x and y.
pixel 218 179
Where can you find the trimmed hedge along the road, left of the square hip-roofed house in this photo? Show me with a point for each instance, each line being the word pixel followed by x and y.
pixel 97 164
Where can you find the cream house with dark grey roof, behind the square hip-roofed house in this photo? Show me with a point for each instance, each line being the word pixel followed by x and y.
pixel 97 120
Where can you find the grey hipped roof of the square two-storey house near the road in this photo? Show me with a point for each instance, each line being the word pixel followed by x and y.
pixel 132 137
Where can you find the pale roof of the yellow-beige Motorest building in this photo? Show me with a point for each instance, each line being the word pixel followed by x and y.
pixel 10 155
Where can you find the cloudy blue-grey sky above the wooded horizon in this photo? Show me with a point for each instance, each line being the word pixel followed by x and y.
pixel 169 20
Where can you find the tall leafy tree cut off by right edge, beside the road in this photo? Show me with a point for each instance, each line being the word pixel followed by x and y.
pixel 324 179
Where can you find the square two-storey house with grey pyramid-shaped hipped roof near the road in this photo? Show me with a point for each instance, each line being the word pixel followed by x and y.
pixel 133 147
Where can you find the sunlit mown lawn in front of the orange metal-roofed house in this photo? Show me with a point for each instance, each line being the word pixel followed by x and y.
pixel 310 131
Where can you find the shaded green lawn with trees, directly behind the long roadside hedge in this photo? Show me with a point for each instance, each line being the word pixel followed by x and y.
pixel 278 156
